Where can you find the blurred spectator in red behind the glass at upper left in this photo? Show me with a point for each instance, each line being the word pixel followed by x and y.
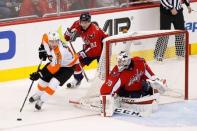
pixel 36 7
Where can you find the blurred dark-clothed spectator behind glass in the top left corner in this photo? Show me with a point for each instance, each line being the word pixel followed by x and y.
pixel 7 9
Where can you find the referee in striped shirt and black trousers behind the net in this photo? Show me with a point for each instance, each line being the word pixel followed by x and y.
pixel 171 12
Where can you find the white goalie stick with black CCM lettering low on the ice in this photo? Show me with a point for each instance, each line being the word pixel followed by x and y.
pixel 119 110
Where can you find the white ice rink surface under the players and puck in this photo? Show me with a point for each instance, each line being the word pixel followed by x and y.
pixel 58 114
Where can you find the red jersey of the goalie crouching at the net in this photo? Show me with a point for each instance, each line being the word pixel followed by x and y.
pixel 131 79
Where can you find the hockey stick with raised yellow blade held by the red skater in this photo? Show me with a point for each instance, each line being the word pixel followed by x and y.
pixel 64 41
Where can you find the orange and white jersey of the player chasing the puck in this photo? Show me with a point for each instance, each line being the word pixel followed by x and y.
pixel 61 56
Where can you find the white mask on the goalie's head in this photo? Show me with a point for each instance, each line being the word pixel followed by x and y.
pixel 123 60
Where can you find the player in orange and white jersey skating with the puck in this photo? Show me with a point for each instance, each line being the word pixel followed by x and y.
pixel 56 72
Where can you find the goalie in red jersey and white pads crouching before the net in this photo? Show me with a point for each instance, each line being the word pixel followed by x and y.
pixel 131 84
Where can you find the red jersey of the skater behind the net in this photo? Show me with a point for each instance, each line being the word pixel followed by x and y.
pixel 92 38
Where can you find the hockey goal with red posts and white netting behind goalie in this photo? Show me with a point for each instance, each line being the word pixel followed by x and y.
pixel 166 52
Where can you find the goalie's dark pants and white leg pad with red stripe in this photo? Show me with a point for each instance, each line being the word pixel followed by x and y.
pixel 144 100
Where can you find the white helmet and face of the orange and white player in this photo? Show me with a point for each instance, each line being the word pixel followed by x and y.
pixel 53 39
